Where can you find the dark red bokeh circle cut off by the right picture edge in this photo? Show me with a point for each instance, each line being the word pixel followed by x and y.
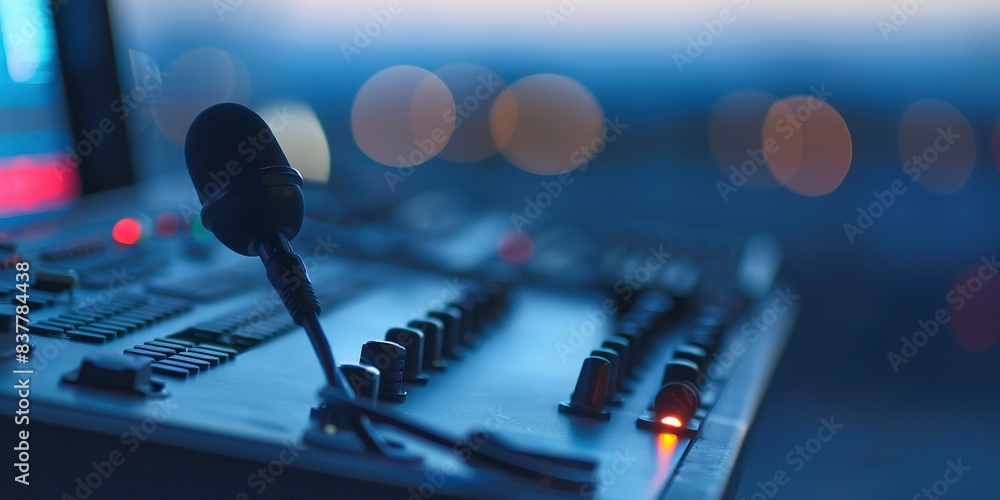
pixel 972 304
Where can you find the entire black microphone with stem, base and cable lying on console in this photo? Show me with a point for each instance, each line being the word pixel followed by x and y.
pixel 252 202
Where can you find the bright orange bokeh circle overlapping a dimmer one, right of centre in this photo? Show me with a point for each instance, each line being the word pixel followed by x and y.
pixel 808 145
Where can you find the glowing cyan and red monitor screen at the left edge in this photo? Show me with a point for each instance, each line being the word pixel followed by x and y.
pixel 37 167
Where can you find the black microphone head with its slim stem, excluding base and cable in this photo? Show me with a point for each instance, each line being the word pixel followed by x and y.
pixel 252 202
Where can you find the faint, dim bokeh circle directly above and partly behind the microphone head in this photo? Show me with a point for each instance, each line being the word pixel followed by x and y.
pixel 194 81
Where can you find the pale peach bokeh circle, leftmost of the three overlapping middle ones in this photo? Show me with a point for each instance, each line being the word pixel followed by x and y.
pixel 402 116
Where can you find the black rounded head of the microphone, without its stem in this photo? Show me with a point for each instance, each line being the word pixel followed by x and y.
pixel 248 190
